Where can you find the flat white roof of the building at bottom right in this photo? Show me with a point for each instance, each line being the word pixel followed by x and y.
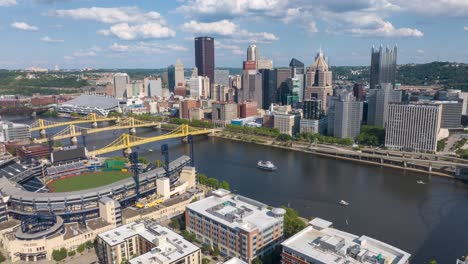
pixel 319 241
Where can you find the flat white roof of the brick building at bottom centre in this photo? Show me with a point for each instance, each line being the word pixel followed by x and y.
pixel 235 211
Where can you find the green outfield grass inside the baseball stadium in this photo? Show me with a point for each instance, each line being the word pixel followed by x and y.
pixel 88 181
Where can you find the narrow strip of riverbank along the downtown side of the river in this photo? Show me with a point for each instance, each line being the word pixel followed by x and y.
pixel 271 143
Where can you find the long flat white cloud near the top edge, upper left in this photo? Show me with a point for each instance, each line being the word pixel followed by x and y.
pixel 111 15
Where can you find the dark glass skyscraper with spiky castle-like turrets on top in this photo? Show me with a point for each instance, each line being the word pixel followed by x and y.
pixel 383 66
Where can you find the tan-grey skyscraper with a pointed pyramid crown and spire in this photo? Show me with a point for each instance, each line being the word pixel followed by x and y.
pixel 319 81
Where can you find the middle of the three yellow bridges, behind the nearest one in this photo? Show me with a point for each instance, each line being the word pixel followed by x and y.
pixel 73 131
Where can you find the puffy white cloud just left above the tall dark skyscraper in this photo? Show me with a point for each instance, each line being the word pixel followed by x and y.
pixel 125 31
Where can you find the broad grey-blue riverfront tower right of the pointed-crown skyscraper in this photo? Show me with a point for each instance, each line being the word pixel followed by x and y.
pixel 344 116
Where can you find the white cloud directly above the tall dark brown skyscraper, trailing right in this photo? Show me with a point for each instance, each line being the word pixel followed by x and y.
pixel 229 30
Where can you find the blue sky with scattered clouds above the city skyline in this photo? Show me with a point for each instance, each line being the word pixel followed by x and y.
pixel 154 33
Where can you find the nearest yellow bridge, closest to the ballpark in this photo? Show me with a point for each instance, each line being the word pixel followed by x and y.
pixel 126 141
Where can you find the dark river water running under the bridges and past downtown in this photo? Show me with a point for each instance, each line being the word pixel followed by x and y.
pixel 427 220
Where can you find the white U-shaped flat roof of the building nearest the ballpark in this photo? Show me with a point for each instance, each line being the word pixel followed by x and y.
pixel 168 245
